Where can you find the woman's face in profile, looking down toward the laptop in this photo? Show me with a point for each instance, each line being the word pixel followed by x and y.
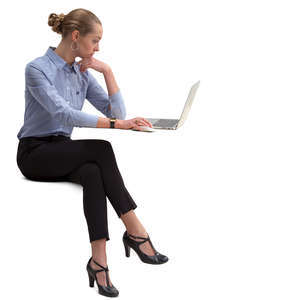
pixel 89 44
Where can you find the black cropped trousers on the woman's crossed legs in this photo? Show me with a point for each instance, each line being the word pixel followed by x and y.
pixel 90 163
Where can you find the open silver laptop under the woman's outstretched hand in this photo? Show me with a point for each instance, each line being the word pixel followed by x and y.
pixel 176 123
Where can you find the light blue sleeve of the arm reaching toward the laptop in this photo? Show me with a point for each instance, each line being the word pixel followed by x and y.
pixel 46 94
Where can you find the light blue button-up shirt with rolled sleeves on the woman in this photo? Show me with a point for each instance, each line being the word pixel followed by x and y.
pixel 55 93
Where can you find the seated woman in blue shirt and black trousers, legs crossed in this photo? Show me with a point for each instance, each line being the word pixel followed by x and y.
pixel 56 87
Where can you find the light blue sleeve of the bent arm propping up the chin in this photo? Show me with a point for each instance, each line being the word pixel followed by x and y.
pixel 111 106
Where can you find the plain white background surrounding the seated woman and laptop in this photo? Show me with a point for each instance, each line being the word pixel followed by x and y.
pixel 220 196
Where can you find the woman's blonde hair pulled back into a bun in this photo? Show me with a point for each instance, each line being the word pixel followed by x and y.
pixel 79 19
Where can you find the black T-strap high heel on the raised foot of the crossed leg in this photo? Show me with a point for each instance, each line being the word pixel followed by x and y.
pixel 148 259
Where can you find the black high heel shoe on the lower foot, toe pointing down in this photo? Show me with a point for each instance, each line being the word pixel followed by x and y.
pixel 109 291
